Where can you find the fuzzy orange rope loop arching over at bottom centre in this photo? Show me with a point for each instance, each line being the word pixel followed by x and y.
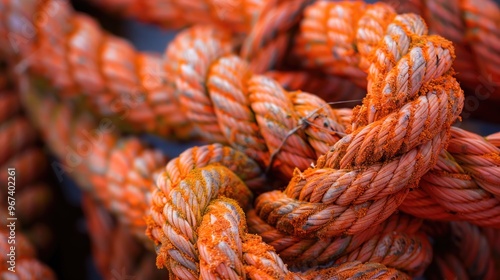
pixel 202 232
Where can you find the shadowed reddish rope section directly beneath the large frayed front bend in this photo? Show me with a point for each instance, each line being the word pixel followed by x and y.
pixel 395 243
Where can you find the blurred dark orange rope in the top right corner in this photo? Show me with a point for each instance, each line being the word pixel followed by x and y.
pixel 473 26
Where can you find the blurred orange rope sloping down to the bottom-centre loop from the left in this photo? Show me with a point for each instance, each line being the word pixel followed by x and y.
pixel 117 171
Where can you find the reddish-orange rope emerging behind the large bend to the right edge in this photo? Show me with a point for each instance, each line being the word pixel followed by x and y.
pixel 463 185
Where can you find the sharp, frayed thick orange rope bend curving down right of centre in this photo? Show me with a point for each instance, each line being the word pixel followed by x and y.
pixel 396 136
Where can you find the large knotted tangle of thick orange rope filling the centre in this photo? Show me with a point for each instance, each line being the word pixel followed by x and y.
pixel 349 171
